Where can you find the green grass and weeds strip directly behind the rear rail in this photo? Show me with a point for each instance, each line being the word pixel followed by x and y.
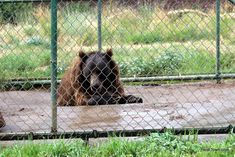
pixel 33 61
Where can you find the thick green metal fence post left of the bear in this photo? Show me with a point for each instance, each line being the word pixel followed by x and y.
pixel 54 64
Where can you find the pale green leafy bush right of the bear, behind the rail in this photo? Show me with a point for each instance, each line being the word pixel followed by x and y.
pixel 167 63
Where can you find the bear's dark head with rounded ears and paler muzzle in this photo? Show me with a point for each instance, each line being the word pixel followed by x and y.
pixel 97 73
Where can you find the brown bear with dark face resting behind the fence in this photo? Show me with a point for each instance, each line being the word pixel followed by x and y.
pixel 93 79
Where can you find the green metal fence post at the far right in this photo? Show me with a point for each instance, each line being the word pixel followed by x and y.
pixel 218 77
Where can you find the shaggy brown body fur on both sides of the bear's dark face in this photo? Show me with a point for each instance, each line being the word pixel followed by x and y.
pixel 70 92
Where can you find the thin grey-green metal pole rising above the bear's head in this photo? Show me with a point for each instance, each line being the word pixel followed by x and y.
pixel 99 25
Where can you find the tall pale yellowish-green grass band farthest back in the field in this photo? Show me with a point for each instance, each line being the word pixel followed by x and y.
pixel 126 25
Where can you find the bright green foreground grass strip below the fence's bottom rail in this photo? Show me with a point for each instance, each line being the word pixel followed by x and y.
pixel 161 145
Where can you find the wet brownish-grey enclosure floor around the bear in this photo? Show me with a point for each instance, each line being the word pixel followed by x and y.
pixel 178 106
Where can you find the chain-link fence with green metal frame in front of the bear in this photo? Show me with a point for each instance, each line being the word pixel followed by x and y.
pixel 178 57
